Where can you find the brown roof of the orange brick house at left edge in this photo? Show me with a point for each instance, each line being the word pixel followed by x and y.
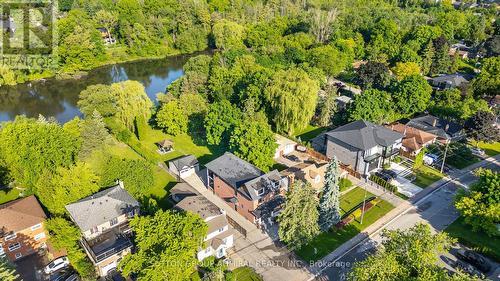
pixel 20 214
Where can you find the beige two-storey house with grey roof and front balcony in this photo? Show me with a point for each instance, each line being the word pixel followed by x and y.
pixel 103 221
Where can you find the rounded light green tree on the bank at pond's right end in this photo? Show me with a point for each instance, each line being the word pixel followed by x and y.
pixel 228 35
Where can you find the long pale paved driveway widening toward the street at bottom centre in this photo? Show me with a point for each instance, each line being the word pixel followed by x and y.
pixel 257 249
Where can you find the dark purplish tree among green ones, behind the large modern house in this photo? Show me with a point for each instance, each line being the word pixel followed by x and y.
pixel 373 75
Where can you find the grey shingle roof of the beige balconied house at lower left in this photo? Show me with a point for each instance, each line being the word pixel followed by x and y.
pixel 101 207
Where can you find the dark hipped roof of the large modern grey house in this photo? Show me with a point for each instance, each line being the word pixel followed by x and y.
pixel 364 135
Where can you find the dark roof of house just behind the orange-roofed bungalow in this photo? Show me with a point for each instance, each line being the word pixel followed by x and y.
pixel 441 128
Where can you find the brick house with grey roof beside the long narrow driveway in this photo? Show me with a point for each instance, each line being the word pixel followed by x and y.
pixel 254 194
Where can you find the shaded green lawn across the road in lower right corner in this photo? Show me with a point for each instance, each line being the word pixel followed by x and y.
pixel 479 241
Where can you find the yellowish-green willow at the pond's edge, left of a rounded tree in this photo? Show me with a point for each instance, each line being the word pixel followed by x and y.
pixel 131 102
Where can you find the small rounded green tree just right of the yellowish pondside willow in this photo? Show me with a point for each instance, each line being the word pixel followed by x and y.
pixel 172 119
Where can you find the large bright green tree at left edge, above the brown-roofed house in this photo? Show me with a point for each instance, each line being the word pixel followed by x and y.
pixel 31 147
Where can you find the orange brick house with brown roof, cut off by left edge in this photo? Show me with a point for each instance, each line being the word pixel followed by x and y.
pixel 22 228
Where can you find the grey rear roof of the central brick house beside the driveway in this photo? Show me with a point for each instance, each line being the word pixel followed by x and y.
pixel 233 170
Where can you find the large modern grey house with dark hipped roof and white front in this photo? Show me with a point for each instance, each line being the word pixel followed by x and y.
pixel 362 145
